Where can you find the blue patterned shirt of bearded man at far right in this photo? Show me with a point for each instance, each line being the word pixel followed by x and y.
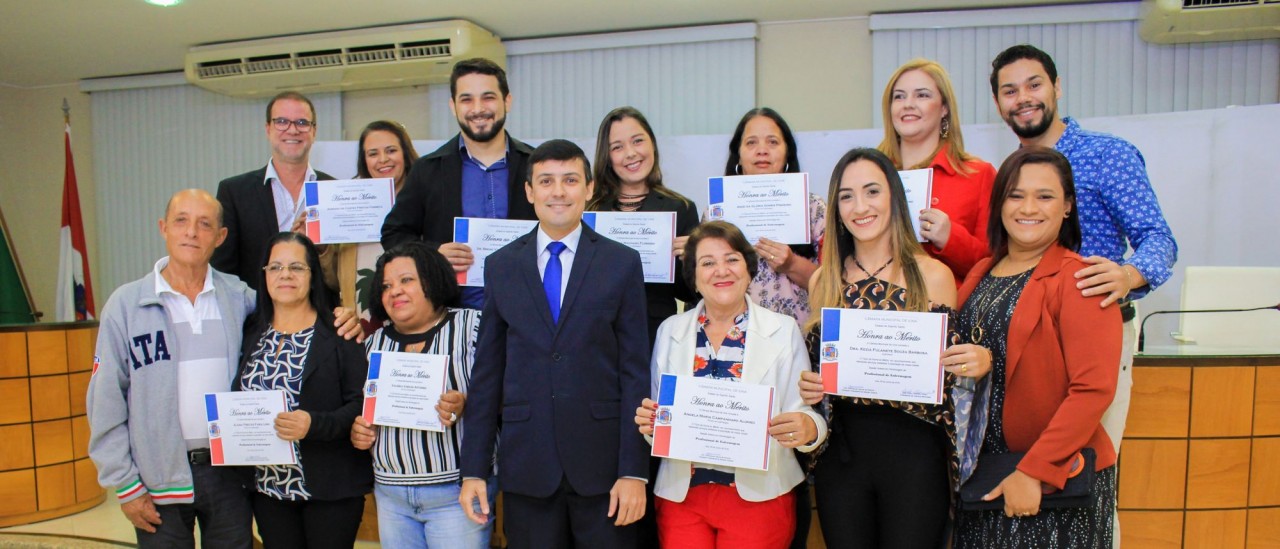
pixel 1117 205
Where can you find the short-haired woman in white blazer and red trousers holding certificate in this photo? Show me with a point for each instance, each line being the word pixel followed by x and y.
pixel 730 338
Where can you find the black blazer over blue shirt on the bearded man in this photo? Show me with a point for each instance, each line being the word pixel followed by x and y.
pixel 433 195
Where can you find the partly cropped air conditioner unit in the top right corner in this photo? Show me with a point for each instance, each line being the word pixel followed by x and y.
pixel 1209 21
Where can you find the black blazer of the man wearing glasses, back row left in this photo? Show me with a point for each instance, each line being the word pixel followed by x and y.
pixel 249 214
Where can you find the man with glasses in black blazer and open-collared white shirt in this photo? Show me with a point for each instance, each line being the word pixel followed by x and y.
pixel 269 200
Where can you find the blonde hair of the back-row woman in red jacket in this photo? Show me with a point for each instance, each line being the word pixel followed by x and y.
pixel 953 140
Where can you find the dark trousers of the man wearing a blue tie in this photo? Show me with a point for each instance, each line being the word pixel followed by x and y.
pixel 565 520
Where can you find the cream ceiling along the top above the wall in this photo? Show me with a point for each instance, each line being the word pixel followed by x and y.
pixel 47 43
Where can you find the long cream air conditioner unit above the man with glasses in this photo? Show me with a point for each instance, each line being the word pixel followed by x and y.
pixel 362 60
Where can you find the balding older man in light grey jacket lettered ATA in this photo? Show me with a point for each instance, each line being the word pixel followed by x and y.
pixel 164 342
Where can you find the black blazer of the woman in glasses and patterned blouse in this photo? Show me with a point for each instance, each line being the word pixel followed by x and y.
pixel 333 382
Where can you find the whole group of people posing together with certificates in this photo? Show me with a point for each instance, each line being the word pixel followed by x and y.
pixel 554 365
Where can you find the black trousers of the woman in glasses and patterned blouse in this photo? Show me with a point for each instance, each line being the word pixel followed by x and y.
pixel 308 525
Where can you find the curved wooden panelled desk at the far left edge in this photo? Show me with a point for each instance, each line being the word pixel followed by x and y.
pixel 45 472
